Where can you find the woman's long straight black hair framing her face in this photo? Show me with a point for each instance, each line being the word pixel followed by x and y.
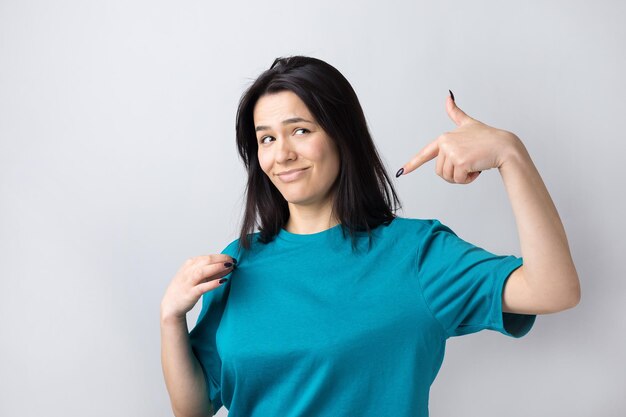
pixel 364 197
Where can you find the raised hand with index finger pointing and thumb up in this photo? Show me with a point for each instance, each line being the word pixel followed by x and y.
pixel 467 150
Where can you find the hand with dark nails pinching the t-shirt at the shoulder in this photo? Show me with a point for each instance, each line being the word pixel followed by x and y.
pixel 197 276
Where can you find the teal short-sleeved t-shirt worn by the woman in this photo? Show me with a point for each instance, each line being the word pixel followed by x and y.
pixel 305 327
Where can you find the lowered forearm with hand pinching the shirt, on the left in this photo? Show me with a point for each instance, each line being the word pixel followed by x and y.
pixel 183 374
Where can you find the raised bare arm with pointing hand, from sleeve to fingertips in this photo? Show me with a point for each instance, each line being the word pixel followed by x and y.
pixel 547 282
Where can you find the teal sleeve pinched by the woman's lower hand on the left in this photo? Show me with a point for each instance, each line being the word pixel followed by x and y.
pixel 203 336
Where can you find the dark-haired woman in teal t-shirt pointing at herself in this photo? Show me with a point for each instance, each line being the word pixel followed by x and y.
pixel 337 306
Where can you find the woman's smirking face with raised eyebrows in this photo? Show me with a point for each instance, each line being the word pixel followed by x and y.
pixel 289 138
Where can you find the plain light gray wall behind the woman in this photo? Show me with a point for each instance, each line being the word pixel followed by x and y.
pixel 118 162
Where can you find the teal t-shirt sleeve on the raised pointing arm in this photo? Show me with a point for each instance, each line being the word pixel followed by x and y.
pixel 462 284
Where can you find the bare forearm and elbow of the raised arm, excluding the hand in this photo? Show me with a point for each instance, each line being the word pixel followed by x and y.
pixel 548 281
